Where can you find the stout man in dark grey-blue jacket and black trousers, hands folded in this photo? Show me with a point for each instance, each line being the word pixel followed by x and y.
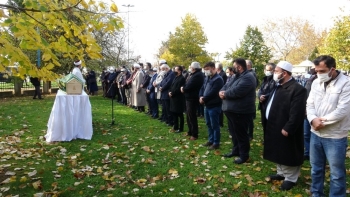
pixel 238 104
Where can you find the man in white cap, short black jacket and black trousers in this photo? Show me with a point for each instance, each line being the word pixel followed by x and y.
pixel 191 89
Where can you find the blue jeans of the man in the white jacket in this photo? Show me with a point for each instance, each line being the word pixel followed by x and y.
pixel 334 151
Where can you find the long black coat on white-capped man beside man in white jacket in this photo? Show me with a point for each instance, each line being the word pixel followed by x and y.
pixel 287 112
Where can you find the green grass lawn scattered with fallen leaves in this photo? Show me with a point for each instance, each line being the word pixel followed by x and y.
pixel 138 156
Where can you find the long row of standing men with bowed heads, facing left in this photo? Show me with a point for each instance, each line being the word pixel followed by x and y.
pixel 282 101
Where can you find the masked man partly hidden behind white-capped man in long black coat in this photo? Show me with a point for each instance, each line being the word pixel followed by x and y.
pixel 267 86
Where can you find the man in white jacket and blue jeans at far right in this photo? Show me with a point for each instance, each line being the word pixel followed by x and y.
pixel 328 113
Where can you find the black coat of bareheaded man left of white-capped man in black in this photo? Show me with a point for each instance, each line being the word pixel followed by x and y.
pixel 177 100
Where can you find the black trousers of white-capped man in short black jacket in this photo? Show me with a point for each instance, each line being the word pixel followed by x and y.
pixel 191 117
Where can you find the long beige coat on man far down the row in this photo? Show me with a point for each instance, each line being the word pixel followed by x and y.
pixel 138 93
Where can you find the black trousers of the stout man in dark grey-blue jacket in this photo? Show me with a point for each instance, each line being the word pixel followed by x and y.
pixel 238 127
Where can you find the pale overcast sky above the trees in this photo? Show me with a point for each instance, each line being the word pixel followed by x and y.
pixel 223 21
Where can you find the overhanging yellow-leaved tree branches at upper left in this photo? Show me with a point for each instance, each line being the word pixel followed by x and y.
pixel 59 29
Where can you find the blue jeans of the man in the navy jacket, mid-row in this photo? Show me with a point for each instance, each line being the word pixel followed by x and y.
pixel 212 119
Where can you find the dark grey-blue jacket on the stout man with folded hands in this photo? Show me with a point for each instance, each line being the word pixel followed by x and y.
pixel 240 94
